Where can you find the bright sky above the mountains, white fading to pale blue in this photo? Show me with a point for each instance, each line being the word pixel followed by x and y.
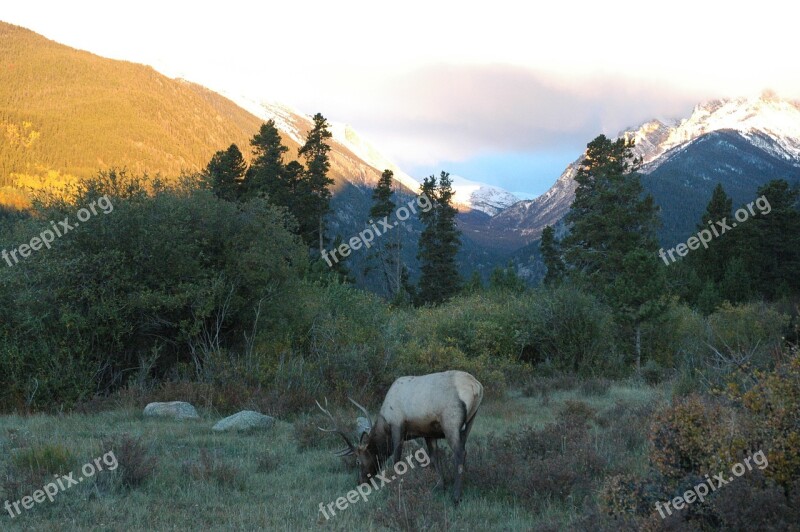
pixel 504 92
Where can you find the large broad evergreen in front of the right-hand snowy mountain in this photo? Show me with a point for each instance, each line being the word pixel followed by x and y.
pixel 612 248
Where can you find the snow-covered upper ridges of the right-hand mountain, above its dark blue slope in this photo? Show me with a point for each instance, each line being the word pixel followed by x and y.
pixel 769 124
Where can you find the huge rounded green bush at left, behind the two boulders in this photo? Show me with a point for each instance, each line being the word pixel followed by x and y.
pixel 166 277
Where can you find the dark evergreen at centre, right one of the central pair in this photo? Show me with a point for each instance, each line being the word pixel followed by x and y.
pixel 439 243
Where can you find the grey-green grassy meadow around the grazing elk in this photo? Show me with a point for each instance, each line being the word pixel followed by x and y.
pixel 203 480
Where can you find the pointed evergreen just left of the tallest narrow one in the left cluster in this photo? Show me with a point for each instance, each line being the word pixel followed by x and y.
pixel 267 172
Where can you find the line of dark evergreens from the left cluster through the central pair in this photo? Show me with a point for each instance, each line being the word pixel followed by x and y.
pixel 302 189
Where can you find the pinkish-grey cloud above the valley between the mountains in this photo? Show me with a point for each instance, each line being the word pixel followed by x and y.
pixel 448 112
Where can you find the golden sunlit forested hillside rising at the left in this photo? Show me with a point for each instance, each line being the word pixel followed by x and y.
pixel 66 113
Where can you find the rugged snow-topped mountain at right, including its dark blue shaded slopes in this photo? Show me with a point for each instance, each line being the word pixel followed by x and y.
pixel 749 141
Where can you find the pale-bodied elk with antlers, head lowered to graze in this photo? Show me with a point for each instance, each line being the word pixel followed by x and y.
pixel 433 406
